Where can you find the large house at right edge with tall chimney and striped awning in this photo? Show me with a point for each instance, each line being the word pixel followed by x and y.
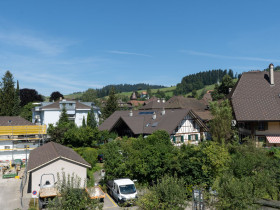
pixel 256 104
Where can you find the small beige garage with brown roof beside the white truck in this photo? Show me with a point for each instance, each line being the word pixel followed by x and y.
pixel 51 159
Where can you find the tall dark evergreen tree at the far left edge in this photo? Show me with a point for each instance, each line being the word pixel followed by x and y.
pixel 7 95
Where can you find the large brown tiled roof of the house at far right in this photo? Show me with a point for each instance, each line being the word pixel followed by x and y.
pixel 254 99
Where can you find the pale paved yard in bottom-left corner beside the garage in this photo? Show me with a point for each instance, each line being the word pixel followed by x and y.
pixel 9 194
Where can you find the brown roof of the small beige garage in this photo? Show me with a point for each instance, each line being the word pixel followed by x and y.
pixel 50 152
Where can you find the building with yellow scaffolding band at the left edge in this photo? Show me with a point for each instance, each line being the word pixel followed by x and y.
pixel 18 137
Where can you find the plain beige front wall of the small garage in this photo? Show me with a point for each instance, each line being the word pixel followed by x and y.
pixel 57 167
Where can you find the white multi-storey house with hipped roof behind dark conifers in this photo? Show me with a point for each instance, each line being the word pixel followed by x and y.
pixel 49 112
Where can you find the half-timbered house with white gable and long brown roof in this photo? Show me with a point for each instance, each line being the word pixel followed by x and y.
pixel 183 125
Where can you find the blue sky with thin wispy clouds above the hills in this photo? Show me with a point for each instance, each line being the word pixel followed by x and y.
pixel 70 46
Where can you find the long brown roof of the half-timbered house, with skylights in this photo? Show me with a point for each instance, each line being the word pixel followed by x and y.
pixel 142 121
